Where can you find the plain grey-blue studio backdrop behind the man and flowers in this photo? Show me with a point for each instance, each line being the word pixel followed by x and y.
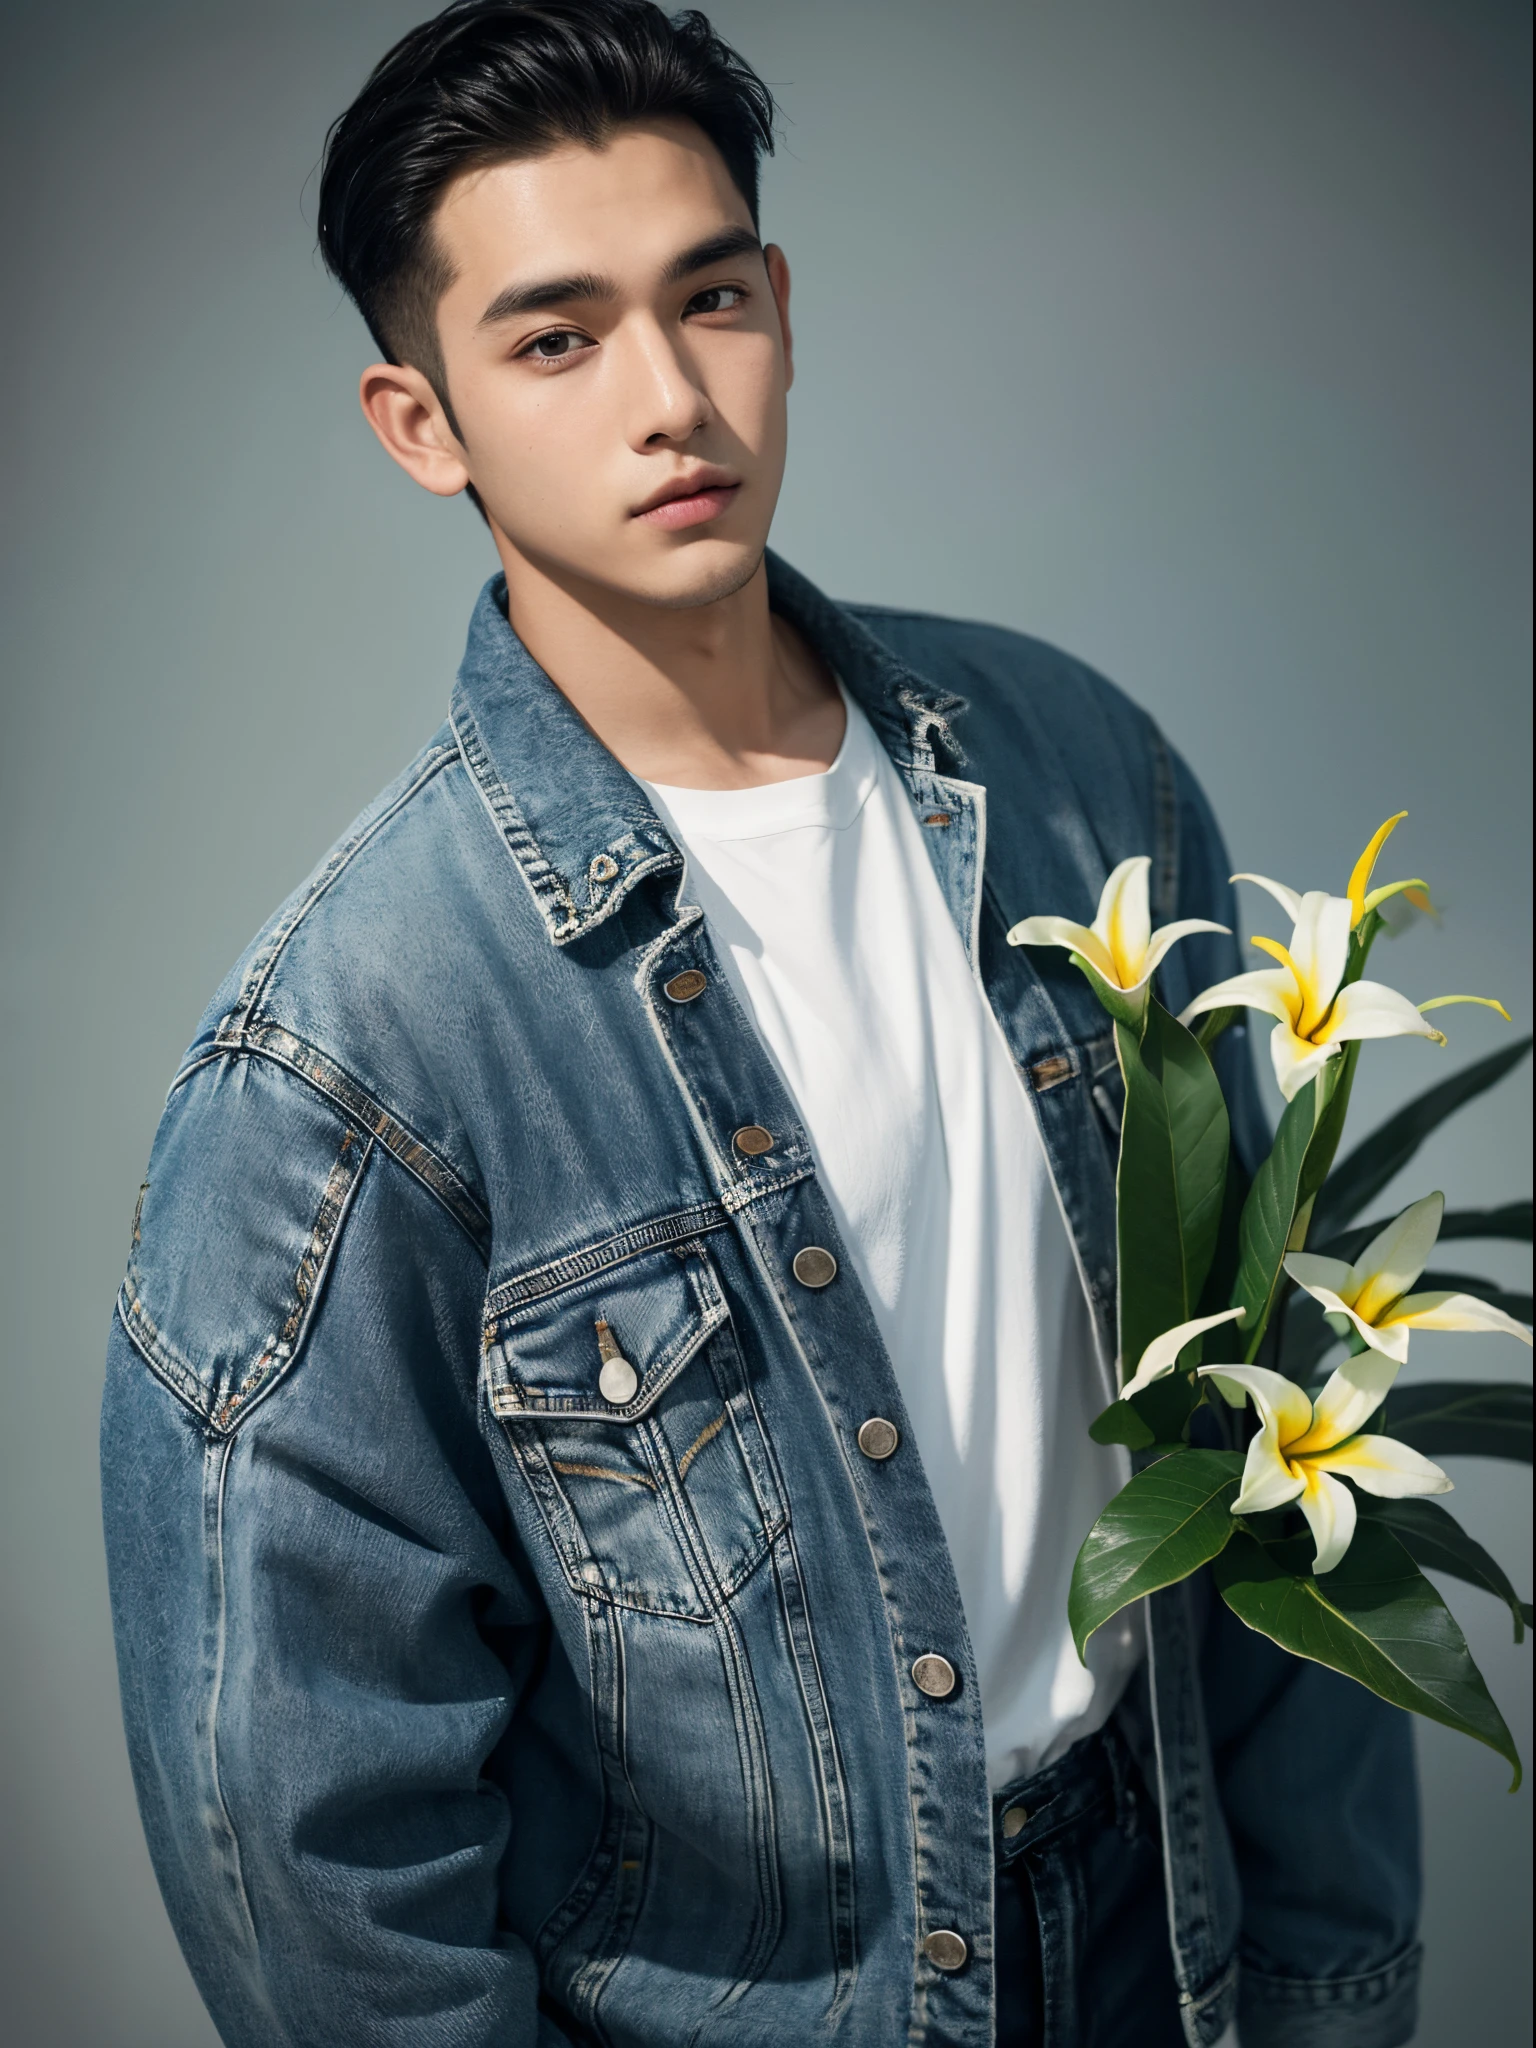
pixel 1189 335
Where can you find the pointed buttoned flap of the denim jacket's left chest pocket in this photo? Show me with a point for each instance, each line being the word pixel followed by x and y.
pixel 546 1355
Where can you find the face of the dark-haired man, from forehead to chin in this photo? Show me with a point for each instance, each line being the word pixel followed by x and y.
pixel 613 337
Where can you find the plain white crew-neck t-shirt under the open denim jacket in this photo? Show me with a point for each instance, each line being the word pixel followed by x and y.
pixel 837 935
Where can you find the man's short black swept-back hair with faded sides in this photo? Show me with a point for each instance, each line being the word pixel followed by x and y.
pixel 493 81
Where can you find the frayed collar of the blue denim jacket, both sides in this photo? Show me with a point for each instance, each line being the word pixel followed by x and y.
pixel 574 820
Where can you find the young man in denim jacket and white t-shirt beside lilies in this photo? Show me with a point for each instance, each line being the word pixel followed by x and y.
pixel 597 1414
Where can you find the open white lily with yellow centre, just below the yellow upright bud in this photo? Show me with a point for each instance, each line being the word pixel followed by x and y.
pixel 1316 1017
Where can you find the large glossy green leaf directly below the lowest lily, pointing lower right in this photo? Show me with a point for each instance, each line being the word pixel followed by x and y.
pixel 1375 1619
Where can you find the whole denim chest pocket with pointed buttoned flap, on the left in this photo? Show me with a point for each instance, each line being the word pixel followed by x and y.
pixel 628 1406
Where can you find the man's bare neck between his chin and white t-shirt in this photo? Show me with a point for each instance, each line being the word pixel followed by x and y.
pixel 718 695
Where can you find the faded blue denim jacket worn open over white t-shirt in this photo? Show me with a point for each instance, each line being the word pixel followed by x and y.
pixel 472 1707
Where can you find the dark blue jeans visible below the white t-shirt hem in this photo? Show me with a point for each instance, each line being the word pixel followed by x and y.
pixel 1082 1920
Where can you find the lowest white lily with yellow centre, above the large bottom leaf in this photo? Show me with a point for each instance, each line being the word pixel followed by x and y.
pixel 1304 1445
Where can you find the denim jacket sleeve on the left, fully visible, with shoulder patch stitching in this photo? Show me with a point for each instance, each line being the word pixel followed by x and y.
pixel 321 1617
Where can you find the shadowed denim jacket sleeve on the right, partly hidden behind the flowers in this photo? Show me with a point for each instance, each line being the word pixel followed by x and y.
pixel 1330 1885
